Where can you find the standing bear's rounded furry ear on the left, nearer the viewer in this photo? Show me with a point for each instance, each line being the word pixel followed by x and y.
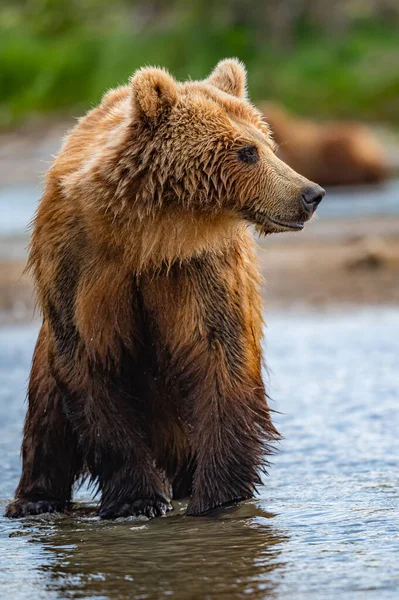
pixel 154 92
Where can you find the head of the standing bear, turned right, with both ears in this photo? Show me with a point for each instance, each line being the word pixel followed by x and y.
pixel 202 147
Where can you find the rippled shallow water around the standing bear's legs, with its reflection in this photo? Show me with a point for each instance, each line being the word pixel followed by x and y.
pixel 326 523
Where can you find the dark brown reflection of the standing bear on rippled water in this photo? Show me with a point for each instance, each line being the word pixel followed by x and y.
pixel 231 554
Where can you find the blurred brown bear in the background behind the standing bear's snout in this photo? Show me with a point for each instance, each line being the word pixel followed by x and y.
pixel 335 153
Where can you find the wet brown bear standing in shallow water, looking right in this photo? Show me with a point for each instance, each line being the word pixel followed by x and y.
pixel 146 375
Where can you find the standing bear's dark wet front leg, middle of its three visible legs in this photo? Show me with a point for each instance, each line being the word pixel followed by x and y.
pixel 105 413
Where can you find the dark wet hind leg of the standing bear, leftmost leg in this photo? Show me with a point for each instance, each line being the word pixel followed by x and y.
pixel 51 461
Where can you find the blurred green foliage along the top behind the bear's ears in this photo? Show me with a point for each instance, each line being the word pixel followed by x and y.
pixel 315 56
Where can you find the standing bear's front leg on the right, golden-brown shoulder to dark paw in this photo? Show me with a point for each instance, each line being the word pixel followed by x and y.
pixel 212 332
